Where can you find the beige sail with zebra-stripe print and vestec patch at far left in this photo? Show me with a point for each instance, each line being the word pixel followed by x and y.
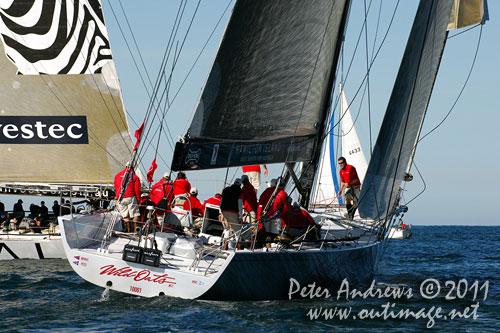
pixel 61 111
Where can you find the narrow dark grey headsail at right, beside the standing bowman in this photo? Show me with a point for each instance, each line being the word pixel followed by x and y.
pixel 406 109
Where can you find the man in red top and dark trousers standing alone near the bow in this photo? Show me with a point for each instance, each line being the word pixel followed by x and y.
pixel 350 181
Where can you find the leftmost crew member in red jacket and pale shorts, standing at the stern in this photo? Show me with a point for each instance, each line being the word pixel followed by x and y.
pixel 128 205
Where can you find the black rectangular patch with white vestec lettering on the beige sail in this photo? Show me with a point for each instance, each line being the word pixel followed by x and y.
pixel 43 130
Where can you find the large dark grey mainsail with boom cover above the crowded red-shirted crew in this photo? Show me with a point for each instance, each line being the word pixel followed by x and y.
pixel 269 81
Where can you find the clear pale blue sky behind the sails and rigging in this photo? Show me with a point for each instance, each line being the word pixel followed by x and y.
pixel 458 162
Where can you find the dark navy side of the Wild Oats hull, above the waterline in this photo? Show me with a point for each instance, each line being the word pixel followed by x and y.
pixel 266 275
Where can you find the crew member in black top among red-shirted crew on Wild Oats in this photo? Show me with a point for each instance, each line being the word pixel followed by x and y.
pixel 231 207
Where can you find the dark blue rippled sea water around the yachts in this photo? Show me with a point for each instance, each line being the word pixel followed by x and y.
pixel 47 295
